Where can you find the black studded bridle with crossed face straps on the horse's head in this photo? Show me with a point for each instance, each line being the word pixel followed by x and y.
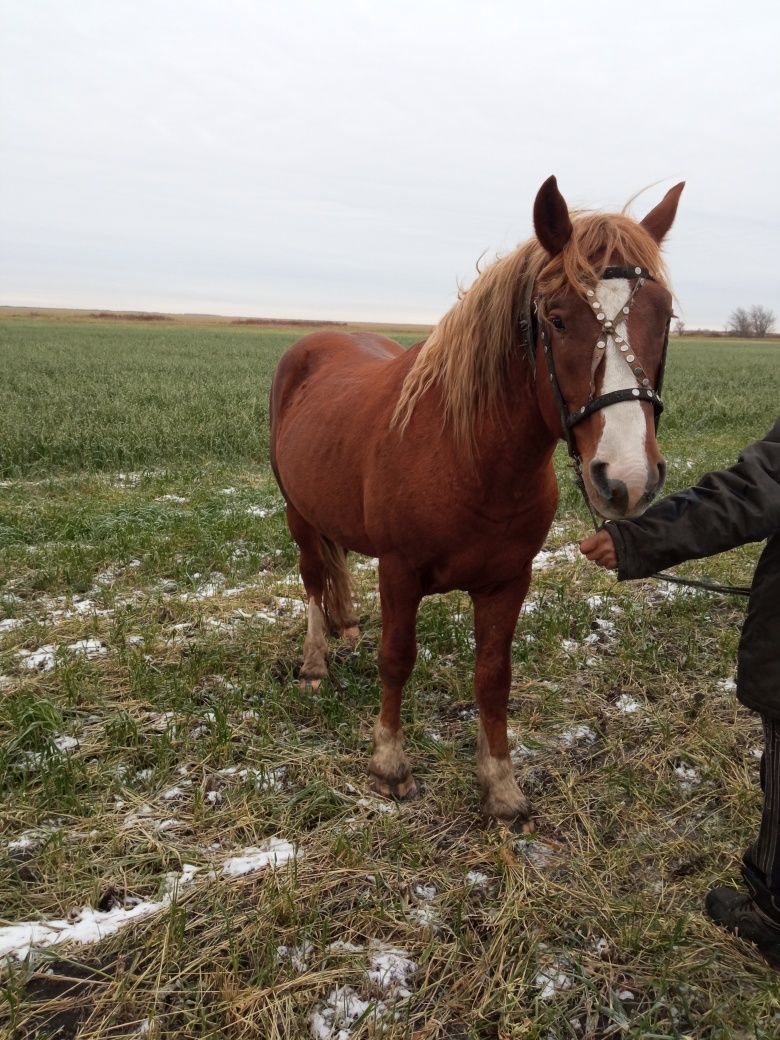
pixel 531 327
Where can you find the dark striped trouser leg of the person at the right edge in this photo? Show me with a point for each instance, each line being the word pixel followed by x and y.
pixel 762 862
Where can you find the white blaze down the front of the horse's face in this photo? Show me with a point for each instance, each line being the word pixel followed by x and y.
pixel 622 443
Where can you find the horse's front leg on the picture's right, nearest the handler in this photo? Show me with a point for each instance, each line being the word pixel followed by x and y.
pixel 496 617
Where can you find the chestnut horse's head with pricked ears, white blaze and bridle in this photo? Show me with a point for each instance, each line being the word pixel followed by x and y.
pixel 602 315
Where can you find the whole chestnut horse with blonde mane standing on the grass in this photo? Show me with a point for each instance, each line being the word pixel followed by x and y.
pixel 438 459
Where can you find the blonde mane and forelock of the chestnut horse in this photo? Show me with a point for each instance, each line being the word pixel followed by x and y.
pixel 467 355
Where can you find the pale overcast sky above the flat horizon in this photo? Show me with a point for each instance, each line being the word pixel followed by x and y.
pixel 348 160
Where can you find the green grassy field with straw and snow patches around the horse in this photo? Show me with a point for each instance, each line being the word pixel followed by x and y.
pixel 151 724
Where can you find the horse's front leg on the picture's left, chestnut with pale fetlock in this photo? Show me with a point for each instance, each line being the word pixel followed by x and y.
pixel 401 594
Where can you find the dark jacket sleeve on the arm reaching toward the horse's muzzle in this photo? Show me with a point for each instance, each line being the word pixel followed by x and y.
pixel 725 509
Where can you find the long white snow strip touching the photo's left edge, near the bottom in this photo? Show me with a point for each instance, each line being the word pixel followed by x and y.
pixel 88 925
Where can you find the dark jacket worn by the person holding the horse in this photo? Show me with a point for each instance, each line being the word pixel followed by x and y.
pixel 724 510
